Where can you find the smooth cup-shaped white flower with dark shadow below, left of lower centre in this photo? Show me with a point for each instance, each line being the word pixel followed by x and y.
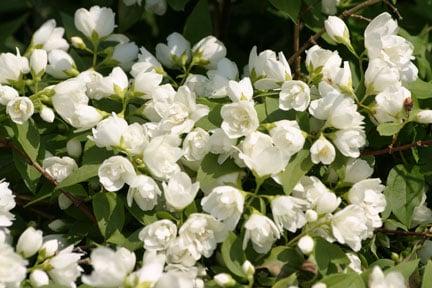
pixel 179 192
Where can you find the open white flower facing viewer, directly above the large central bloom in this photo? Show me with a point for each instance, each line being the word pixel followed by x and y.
pixel 239 119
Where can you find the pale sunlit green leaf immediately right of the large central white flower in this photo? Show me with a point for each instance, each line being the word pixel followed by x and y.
pixel 296 168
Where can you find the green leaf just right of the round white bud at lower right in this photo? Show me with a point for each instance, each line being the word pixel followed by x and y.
pixel 327 253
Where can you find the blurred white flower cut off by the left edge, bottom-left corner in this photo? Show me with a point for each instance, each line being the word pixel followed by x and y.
pixel 12 267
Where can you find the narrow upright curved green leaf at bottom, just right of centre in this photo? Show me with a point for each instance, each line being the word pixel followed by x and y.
pixel 233 254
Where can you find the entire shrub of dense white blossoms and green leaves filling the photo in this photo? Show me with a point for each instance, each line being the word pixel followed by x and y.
pixel 181 168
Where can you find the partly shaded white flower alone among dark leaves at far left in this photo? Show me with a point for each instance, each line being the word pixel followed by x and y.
pixel 59 167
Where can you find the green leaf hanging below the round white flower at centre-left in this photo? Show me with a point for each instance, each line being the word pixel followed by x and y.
pixel 108 208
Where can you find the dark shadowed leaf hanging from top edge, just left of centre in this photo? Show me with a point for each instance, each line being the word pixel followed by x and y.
pixel 198 24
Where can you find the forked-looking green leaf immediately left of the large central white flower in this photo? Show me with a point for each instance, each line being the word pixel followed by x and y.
pixel 210 170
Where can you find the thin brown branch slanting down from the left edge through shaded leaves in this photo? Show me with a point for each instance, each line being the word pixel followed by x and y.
pixel 75 201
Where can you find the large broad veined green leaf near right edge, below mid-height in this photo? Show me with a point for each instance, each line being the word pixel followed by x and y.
pixel 404 191
